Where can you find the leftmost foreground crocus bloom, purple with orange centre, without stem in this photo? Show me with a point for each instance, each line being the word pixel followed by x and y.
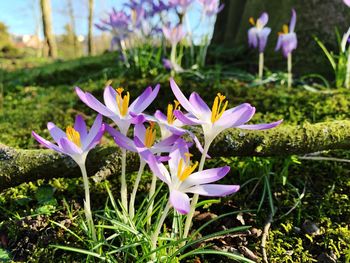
pixel 75 142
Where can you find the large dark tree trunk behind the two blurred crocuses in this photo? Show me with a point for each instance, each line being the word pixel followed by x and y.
pixel 314 18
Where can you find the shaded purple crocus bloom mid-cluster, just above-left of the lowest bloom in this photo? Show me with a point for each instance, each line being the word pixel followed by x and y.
pixel 147 136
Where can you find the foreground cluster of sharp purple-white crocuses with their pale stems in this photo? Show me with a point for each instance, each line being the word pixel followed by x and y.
pixel 181 175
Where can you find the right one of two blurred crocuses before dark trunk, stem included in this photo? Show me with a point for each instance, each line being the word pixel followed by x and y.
pixel 287 41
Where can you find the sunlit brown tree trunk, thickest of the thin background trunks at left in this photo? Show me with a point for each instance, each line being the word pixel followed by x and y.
pixel 47 28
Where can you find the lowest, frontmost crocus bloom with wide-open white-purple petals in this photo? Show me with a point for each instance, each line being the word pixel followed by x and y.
pixel 181 178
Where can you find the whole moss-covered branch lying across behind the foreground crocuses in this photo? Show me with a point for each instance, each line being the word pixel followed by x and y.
pixel 19 166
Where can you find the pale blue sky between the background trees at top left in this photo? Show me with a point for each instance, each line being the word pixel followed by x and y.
pixel 23 16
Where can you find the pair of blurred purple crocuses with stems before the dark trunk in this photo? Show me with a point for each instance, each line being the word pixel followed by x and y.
pixel 287 40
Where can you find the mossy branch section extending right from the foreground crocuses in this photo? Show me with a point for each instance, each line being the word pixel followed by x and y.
pixel 283 140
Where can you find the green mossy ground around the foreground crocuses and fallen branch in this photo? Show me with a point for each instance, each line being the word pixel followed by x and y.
pixel 32 97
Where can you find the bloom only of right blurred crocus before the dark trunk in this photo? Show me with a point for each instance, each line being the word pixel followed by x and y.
pixel 287 39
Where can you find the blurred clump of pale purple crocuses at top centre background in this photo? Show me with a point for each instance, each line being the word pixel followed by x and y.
pixel 141 19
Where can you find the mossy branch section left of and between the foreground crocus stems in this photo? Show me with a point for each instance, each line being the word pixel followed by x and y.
pixel 18 166
